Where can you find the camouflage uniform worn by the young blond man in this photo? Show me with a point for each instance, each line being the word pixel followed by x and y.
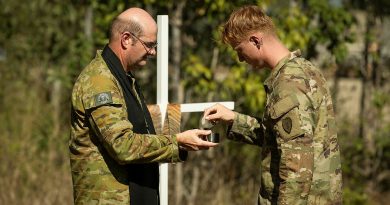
pixel 300 151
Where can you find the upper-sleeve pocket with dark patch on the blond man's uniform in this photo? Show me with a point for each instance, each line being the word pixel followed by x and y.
pixel 285 115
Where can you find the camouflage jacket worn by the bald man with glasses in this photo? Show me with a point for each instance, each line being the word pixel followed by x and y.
pixel 102 141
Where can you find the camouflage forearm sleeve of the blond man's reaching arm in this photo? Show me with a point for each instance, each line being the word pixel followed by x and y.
pixel 246 129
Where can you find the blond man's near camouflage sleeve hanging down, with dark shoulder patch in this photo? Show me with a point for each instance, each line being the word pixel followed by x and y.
pixel 294 136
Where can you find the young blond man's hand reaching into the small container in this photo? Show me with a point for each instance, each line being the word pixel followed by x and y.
pixel 219 112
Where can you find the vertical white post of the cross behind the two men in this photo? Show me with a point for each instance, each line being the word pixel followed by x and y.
pixel 162 93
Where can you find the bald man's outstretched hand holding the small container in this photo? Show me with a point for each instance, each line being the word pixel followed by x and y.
pixel 193 140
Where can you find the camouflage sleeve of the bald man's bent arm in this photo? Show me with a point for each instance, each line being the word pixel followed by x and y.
pixel 108 119
